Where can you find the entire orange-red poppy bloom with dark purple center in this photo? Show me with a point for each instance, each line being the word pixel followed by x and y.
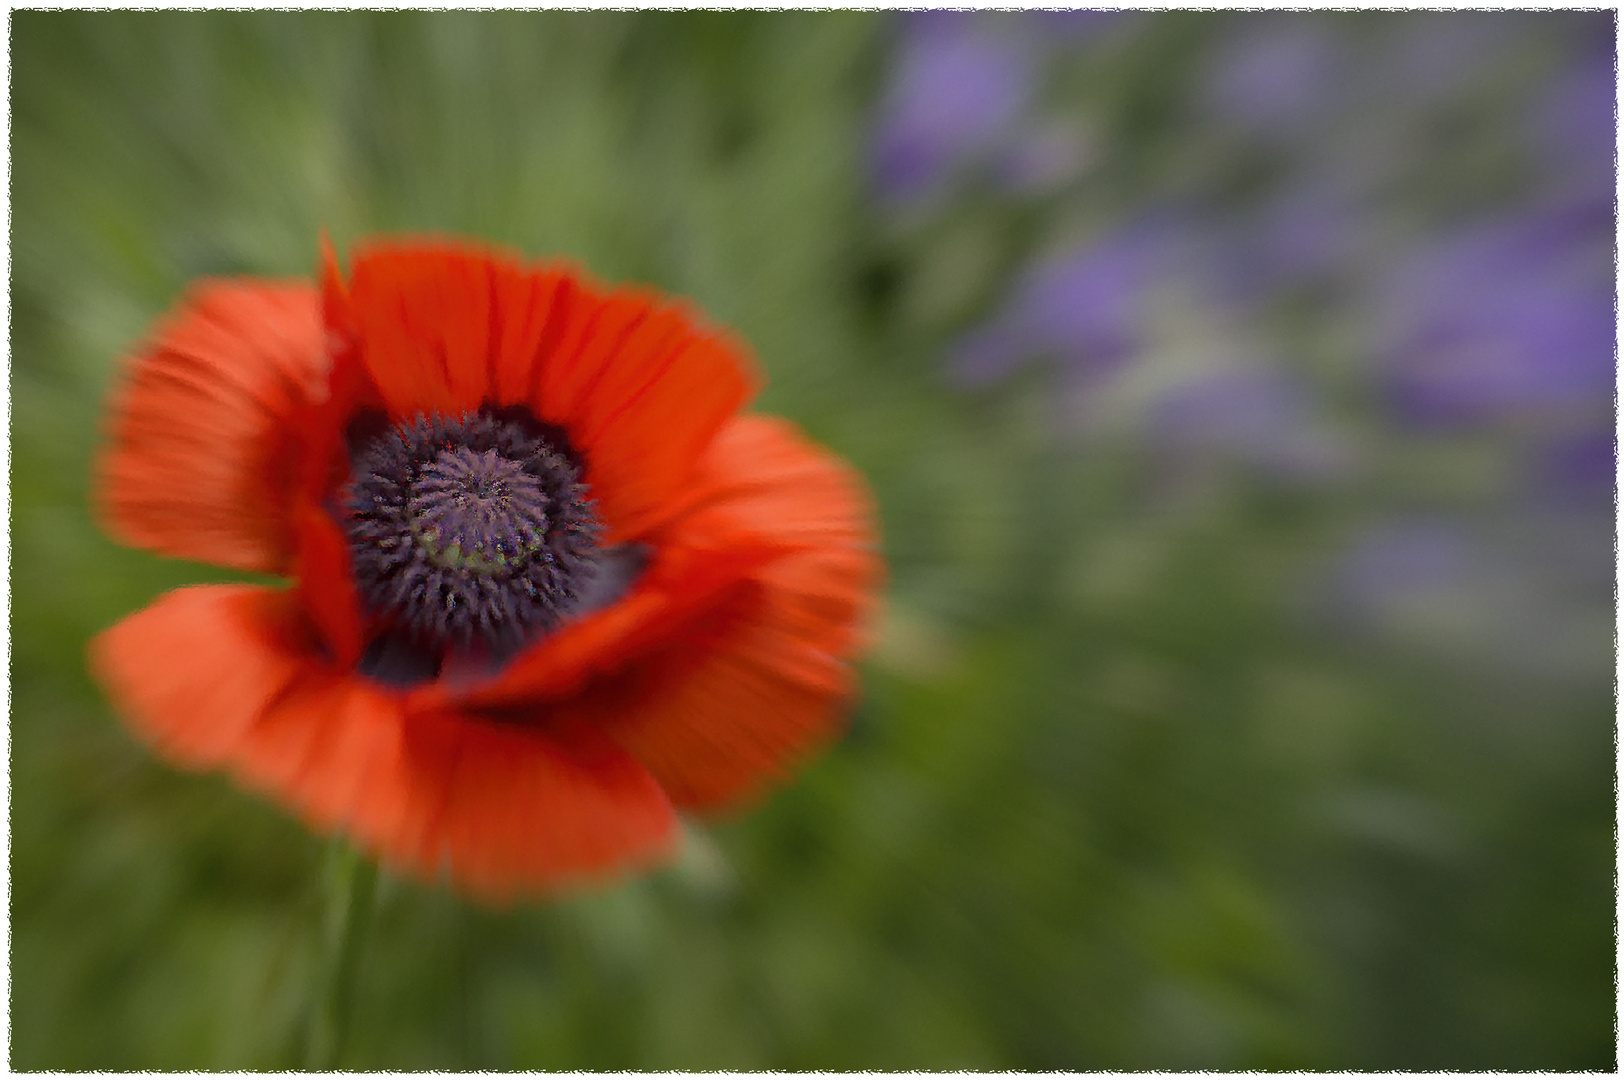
pixel 550 587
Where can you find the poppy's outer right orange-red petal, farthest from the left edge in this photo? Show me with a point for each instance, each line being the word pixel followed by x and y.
pixel 761 680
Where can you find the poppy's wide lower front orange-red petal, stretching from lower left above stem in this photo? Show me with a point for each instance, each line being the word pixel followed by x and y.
pixel 225 676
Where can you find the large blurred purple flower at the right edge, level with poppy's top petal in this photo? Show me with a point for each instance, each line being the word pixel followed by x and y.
pixel 1511 318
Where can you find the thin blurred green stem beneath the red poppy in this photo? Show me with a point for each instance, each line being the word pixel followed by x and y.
pixel 352 883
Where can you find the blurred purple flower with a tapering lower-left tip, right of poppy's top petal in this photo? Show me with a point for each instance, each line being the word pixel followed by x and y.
pixel 1086 308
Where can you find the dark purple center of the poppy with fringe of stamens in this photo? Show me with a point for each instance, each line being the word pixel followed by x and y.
pixel 470 534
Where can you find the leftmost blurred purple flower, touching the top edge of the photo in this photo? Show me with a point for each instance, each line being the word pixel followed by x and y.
pixel 959 89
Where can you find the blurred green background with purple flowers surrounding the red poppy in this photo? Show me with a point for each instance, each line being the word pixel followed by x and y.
pixel 1238 399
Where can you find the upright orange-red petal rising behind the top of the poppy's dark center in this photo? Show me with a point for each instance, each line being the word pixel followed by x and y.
pixel 639 387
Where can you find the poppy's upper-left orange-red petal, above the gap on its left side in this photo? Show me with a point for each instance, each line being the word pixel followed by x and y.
pixel 202 446
